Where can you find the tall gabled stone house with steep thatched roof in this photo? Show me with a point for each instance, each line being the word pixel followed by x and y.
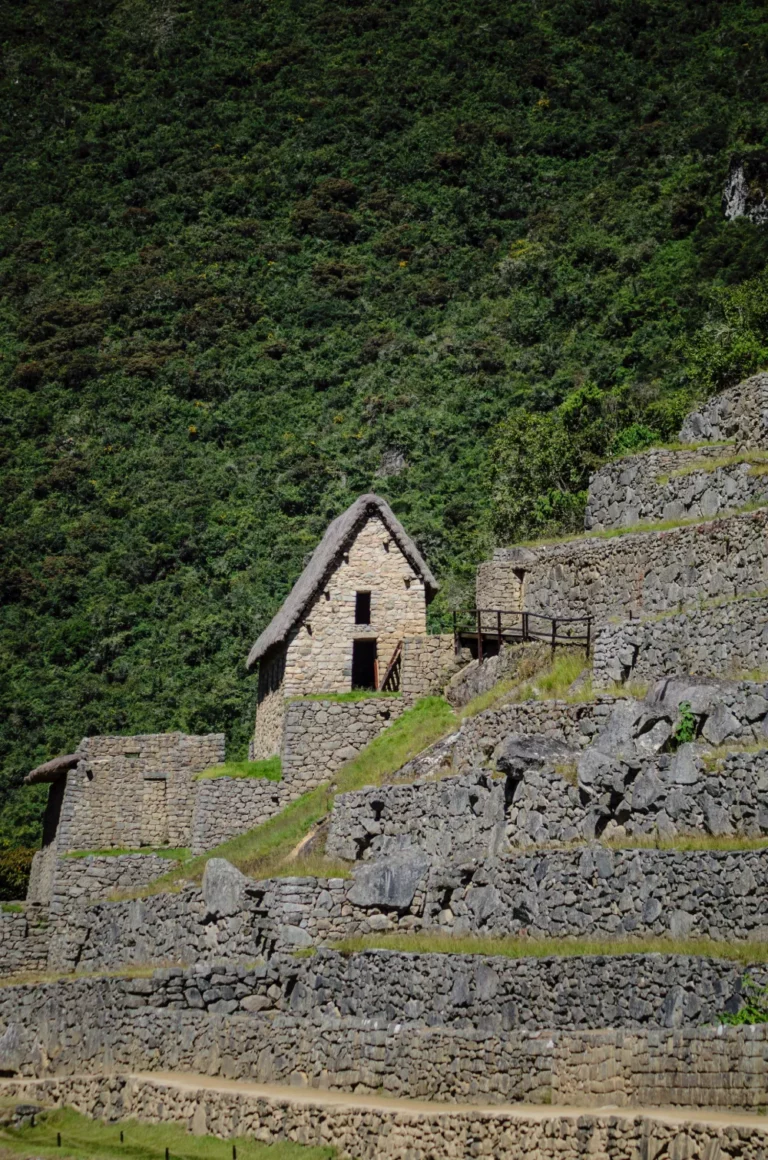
pixel 364 592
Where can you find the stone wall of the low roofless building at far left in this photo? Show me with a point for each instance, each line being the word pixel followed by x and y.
pixel 112 797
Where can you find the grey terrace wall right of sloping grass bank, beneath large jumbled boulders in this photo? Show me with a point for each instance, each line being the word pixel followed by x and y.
pixel 477 816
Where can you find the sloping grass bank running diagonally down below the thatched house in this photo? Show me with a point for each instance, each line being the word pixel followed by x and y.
pixel 264 852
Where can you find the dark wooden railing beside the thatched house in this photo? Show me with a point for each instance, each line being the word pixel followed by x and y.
pixel 498 627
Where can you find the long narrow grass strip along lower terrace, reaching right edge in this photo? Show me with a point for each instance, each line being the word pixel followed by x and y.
pixel 426 942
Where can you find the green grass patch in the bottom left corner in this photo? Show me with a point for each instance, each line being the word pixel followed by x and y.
pixel 83 1139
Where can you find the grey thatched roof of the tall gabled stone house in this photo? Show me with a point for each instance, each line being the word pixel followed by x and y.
pixel 324 561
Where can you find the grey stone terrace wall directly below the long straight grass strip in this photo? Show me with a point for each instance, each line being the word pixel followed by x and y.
pixel 484 994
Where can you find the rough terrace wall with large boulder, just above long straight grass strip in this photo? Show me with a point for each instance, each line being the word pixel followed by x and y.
pixel 590 891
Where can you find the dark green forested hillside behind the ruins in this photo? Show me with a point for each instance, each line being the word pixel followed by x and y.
pixel 260 257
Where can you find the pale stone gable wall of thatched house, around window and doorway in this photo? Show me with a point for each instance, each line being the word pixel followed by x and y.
pixel 321 661
